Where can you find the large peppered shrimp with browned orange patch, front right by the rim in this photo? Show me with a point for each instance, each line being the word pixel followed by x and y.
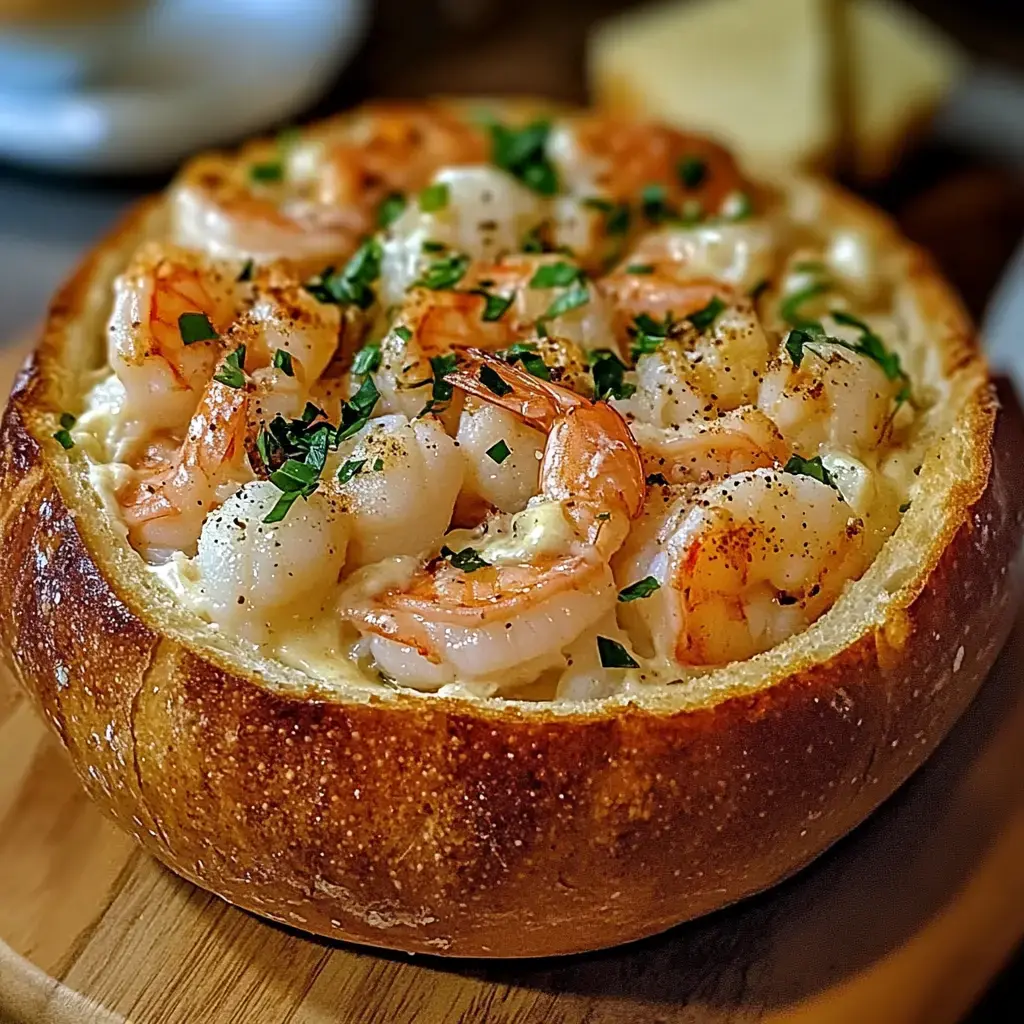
pixel 743 565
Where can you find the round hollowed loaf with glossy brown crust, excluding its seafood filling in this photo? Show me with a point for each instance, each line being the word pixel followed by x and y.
pixel 472 822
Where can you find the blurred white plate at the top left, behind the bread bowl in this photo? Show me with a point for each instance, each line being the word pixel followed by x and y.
pixel 187 75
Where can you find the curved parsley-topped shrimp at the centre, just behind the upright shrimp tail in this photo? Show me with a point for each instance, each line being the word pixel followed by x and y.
pixel 495 306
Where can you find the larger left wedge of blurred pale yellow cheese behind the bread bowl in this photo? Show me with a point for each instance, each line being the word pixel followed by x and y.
pixel 753 73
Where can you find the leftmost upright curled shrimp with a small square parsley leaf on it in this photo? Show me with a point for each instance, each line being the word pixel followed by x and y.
pixel 150 350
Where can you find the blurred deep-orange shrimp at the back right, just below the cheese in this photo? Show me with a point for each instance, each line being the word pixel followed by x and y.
pixel 605 156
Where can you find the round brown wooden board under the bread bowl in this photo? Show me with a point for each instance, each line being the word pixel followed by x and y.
pixel 906 921
